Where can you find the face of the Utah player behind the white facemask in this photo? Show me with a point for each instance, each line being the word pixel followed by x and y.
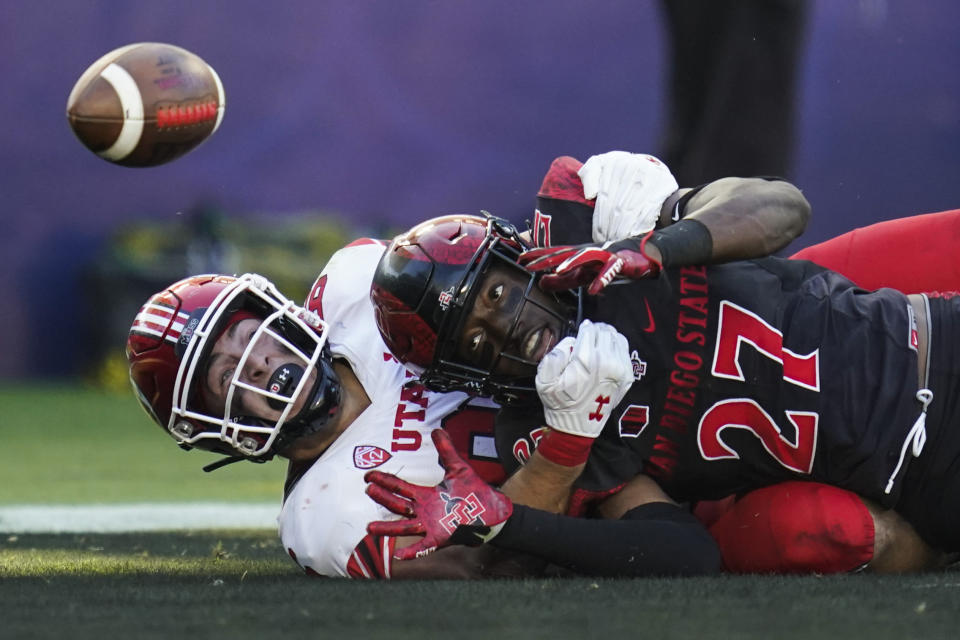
pixel 266 357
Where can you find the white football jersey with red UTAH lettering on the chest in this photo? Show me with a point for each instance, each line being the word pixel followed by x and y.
pixel 324 517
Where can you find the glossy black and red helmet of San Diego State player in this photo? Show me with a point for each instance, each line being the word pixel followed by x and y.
pixel 424 288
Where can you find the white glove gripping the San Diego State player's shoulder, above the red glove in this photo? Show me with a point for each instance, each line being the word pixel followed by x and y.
pixel 630 189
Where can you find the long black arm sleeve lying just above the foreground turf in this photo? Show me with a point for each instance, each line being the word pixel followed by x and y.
pixel 655 539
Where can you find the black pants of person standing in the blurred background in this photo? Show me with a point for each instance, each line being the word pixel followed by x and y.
pixel 731 94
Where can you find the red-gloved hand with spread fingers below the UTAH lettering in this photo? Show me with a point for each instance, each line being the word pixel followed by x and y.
pixel 462 509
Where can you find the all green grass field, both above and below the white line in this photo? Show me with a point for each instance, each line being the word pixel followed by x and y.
pixel 69 445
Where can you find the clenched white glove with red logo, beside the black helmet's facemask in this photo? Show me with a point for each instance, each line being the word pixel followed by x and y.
pixel 581 380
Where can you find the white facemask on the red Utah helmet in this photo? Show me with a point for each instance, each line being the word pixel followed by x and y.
pixel 297 335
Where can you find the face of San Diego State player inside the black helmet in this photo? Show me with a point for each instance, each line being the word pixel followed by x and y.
pixel 508 321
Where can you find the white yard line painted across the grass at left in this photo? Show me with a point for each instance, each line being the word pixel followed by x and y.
pixel 118 518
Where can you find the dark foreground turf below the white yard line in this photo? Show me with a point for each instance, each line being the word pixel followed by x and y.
pixel 240 585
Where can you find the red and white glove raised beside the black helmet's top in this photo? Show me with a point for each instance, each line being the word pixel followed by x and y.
pixel 594 264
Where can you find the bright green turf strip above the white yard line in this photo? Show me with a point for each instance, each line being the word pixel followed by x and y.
pixel 72 444
